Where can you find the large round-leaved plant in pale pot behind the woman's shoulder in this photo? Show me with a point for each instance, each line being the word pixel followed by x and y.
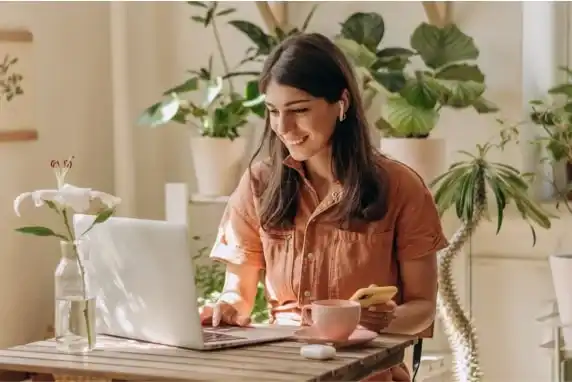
pixel 413 99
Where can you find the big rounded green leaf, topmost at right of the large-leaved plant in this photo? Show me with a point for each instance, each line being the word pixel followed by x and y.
pixel 442 46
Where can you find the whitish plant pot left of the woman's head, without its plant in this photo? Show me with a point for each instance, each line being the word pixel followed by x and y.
pixel 218 164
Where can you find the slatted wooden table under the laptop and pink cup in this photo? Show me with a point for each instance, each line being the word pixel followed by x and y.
pixel 128 360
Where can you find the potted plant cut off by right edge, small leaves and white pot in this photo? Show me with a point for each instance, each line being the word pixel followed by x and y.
pixel 553 117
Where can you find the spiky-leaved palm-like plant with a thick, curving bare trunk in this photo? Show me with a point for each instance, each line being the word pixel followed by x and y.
pixel 465 187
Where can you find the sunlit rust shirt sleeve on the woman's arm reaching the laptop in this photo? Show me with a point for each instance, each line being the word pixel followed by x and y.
pixel 238 239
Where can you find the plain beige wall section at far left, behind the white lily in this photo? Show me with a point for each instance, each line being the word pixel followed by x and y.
pixel 72 115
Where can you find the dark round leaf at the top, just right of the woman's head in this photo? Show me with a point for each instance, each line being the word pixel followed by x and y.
pixel 364 28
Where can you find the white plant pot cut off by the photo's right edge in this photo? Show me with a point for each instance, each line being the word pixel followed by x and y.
pixel 561 268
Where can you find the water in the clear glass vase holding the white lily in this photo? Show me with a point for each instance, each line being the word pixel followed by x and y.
pixel 75 324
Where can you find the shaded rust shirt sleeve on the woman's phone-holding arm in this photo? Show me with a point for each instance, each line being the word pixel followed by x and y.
pixel 419 229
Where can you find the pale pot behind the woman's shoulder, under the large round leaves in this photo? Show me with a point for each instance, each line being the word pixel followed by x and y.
pixel 426 156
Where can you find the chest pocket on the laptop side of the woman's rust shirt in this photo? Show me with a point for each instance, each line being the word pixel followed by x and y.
pixel 278 247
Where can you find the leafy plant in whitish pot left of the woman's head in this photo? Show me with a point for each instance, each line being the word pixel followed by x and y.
pixel 218 149
